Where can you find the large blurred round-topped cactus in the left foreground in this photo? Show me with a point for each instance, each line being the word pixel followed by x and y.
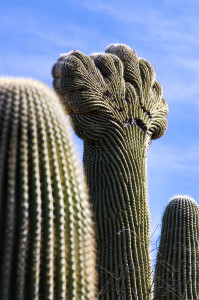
pixel 47 248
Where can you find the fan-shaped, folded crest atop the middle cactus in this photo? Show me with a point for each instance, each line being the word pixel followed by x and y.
pixel 107 88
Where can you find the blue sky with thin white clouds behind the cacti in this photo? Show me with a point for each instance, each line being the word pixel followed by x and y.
pixel 33 34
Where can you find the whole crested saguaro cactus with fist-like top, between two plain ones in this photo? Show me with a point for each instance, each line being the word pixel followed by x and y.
pixel 117 108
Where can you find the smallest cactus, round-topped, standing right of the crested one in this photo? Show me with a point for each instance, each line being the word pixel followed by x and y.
pixel 177 265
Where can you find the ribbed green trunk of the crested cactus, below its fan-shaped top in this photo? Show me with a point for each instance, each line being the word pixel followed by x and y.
pixel 117 185
